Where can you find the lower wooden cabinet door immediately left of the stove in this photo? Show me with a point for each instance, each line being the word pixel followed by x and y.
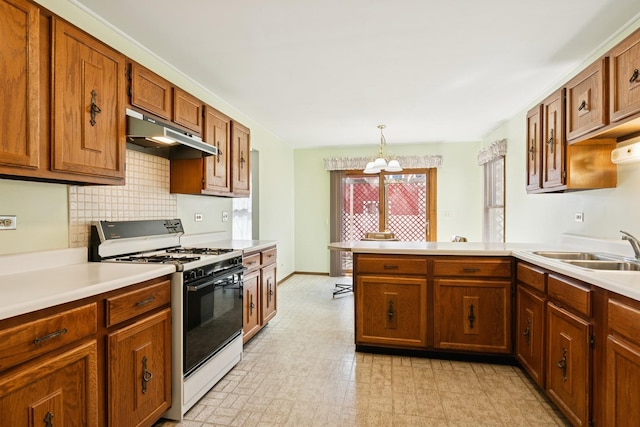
pixel 139 371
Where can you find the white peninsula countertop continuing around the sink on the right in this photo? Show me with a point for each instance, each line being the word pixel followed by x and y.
pixel 623 282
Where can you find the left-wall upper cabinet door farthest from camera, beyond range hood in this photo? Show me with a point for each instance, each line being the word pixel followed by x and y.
pixel 240 160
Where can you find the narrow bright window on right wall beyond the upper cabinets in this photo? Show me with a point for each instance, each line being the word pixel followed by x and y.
pixel 494 196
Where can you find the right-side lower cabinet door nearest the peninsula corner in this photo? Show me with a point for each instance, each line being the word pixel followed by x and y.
pixel 530 333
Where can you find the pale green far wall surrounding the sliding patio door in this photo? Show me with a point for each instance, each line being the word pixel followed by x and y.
pixel 459 194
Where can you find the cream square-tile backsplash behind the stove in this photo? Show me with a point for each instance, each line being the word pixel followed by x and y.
pixel 144 196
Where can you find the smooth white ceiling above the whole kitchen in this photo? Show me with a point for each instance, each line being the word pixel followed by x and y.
pixel 326 72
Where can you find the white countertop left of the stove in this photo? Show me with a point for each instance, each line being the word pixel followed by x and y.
pixel 38 280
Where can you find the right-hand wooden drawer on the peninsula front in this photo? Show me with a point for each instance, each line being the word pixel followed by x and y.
pixel 472 267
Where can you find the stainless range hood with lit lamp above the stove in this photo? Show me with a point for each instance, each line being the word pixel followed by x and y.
pixel 151 136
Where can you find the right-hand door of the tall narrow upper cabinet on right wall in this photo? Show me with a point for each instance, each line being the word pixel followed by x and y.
pixel 553 139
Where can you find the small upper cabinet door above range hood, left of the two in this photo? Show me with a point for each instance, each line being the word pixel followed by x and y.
pixel 150 92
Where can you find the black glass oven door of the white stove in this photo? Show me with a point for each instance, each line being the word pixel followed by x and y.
pixel 212 316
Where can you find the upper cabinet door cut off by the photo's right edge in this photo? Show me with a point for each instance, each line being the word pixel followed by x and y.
pixel 624 65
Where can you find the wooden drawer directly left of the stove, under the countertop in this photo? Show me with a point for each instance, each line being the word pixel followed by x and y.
pixel 131 304
